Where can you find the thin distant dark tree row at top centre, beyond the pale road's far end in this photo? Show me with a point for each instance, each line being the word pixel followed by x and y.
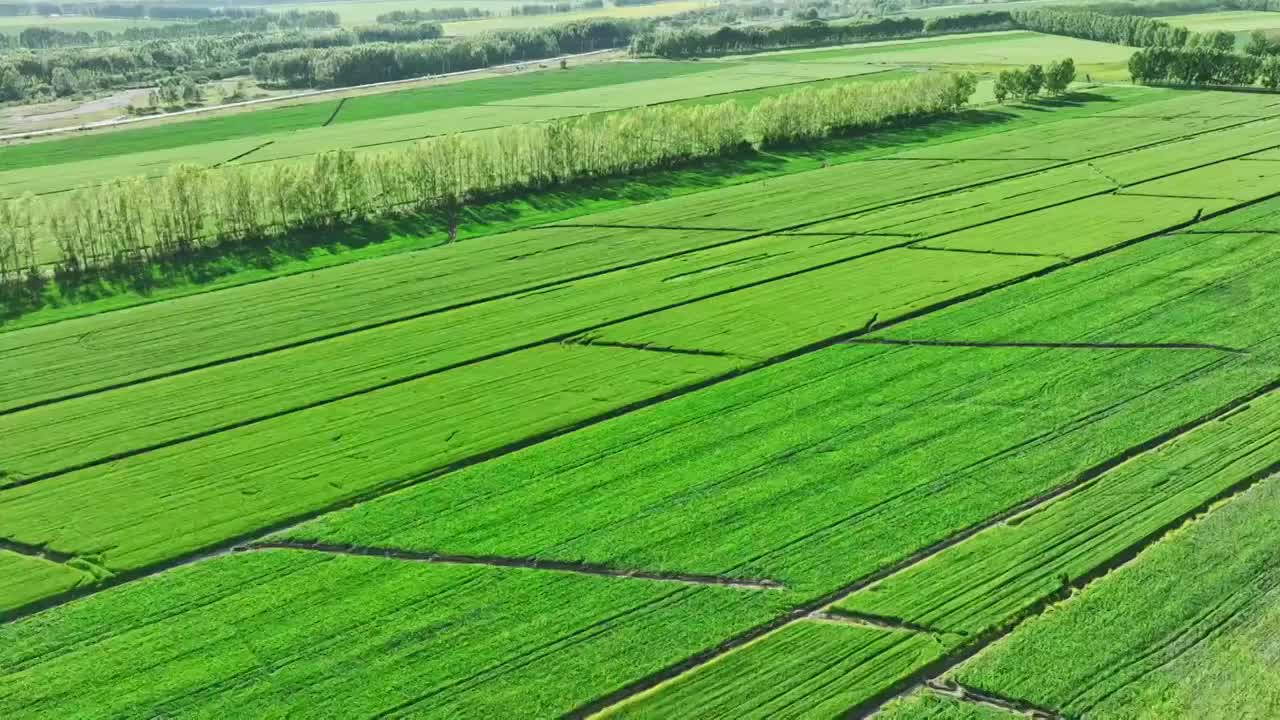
pixel 702 42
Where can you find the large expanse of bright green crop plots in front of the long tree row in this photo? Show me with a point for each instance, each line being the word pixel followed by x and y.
pixel 976 426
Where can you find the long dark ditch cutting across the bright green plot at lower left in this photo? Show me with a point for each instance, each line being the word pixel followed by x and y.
pixel 520 563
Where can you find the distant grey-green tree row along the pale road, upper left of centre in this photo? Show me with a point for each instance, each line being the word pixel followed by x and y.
pixel 339 67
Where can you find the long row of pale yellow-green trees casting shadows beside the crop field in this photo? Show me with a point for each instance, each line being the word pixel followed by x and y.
pixel 135 221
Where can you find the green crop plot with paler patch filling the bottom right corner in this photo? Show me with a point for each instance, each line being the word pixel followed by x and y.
pixel 1186 630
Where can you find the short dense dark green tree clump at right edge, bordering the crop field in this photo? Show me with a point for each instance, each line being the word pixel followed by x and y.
pixel 1203 66
